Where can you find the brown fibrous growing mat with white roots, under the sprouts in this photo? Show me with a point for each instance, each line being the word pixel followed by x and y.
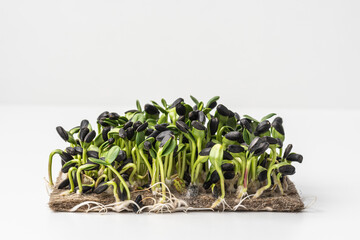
pixel 270 200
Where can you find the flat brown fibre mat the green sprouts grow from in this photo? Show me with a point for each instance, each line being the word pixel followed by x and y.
pixel 269 201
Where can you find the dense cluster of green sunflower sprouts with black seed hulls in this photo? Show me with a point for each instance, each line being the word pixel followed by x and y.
pixel 179 146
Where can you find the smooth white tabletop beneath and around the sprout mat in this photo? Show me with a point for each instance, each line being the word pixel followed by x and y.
pixel 328 140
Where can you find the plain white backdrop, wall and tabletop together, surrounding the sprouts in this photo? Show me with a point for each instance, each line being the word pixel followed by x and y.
pixel 63 61
